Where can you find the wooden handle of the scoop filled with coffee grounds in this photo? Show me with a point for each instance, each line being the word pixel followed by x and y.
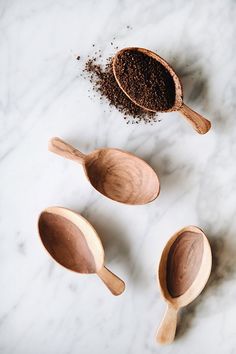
pixel 198 122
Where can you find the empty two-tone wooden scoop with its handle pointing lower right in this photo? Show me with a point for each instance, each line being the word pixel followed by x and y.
pixel 73 242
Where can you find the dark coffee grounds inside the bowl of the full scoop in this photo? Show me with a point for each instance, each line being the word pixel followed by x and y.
pixel 145 80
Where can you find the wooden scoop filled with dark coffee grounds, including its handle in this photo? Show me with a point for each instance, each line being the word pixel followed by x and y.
pixel 151 83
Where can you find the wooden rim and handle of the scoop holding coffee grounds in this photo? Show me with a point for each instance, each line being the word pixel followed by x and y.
pixel 199 123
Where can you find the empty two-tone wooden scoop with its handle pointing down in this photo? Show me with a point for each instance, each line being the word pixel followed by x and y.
pixel 184 269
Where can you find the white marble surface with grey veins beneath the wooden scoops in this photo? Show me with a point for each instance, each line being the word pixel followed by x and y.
pixel 45 309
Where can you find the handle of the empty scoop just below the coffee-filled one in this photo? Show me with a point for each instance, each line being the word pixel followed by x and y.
pixel 60 147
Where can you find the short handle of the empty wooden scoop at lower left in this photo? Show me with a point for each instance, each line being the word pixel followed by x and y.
pixel 114 283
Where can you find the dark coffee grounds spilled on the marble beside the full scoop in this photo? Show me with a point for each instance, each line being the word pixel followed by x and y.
pixel 104 82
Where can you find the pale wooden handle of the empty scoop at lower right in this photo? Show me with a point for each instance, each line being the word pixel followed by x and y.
pixel 167 329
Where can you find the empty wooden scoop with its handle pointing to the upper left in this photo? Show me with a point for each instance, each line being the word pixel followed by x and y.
pixel 117 174
